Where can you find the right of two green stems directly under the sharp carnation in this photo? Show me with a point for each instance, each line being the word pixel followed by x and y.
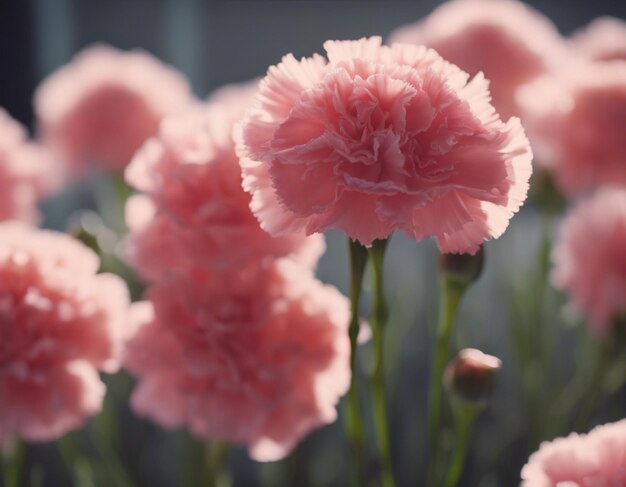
pixel 378 320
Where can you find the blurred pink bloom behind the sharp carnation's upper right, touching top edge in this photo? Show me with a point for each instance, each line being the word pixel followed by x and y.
pixel 510 42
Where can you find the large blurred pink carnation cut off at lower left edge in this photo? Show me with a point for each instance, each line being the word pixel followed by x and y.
pixel 59 324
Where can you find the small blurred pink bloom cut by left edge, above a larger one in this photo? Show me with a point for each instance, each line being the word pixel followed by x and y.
pixel 27 172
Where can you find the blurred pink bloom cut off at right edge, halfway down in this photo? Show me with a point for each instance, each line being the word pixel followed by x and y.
pixel 590 260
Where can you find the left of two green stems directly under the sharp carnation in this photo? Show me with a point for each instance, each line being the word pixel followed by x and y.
pixel 356 430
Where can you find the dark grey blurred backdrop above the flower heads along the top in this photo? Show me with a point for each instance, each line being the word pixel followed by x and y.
pixel 212 42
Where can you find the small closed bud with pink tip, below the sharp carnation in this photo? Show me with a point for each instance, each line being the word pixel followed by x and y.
pixel 470 375
